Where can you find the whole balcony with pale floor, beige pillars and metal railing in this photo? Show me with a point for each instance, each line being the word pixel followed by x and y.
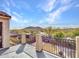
pixel 41 47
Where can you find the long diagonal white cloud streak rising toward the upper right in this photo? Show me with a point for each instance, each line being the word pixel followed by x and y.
pixel 52 17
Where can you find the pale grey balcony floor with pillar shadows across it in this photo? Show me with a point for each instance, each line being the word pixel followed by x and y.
pixel 24 51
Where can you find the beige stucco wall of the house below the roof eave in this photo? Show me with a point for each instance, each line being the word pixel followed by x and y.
pixel 5 32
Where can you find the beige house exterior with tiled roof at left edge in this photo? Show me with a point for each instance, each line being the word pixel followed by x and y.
pixel 4 29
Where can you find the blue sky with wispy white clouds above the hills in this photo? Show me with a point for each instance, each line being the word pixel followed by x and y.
pixel 43 13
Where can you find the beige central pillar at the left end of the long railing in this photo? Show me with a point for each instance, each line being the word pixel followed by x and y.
pixel 39 43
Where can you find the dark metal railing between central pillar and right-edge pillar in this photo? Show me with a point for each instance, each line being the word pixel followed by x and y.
pixel 61 47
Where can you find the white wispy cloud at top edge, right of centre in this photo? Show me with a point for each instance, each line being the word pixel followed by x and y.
pixel 48 5
